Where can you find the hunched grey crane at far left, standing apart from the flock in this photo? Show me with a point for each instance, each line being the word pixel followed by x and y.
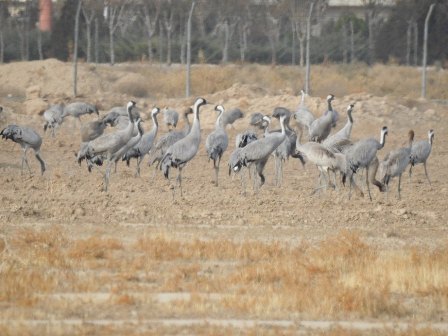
pixel 27 138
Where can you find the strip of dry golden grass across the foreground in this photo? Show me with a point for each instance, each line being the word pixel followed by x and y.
pixel 49 275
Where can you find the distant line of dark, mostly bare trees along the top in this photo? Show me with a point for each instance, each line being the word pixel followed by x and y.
pixel 236 31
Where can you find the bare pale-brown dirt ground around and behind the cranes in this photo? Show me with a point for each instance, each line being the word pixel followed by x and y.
pixel 69 197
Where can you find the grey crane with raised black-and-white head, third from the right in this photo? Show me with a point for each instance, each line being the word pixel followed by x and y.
pixel 362 154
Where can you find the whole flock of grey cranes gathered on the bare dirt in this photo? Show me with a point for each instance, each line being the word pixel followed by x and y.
pixel 330 153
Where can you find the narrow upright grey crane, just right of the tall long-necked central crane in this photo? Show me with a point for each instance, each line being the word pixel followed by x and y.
pixel 217 142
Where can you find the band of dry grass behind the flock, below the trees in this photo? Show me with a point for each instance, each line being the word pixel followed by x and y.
pixel 379 80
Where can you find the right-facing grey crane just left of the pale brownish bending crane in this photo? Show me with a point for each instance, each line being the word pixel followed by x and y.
pixel 258 152
